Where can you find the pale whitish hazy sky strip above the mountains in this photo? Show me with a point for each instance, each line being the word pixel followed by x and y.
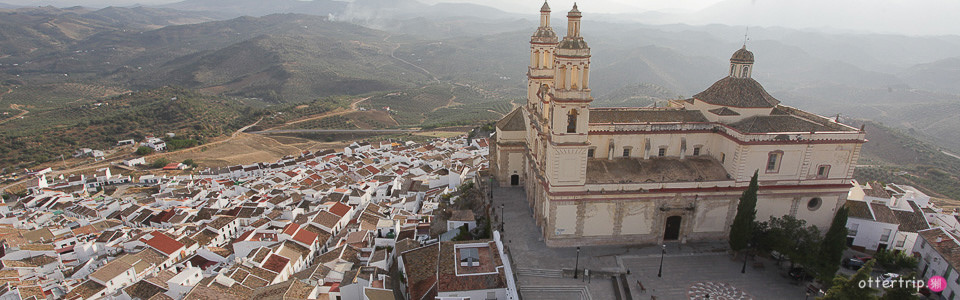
pixel 910 17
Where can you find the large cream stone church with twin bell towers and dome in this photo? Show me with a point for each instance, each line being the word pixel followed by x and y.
pixel 647 175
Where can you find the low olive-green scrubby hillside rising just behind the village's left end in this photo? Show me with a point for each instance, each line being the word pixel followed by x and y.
pixel 41 136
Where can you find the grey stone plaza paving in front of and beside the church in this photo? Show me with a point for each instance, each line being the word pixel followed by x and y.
pixel 689 271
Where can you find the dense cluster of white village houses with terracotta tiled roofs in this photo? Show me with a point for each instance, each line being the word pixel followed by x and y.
pixel 321 225
